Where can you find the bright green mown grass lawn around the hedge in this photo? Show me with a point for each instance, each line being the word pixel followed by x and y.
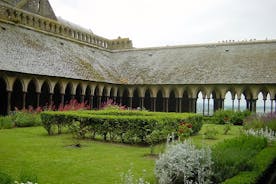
pixel 54 161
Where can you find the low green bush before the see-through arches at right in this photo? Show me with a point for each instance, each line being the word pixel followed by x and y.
pixel 228 116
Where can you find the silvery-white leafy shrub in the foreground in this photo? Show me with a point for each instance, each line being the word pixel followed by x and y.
pixel 184 163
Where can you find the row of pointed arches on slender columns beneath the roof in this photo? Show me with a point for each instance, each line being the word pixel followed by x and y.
pixel 24 91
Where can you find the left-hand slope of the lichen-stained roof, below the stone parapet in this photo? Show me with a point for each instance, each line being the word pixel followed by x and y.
pixel 27 51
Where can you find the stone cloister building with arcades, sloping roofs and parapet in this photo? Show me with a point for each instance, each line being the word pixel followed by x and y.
pixel 46 60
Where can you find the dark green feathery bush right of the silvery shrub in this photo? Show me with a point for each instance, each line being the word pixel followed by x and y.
pixel 233 156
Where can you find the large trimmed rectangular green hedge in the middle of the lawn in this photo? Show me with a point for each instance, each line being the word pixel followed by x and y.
pixel 124 126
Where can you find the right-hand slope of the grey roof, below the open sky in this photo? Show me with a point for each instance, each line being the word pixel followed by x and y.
pixel 231 63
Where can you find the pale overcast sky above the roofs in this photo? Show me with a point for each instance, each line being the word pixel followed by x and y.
pixel 172 22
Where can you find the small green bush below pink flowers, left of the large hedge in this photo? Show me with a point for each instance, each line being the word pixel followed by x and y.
pixel 26 119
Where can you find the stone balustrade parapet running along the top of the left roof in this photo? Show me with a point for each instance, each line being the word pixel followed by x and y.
pixel 42 24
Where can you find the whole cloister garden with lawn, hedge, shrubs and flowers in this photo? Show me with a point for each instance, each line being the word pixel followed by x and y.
pixel 115 145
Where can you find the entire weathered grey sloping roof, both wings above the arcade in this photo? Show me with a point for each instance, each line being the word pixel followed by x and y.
pixel 27 51
